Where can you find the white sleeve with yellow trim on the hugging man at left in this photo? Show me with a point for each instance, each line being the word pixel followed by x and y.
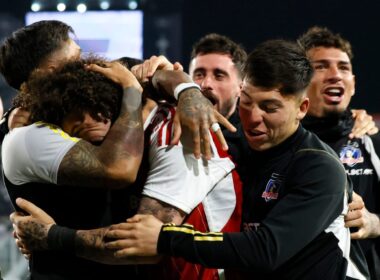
pixel 33 153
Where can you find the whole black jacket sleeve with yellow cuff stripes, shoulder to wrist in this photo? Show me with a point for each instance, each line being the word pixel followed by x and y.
pixel 316 199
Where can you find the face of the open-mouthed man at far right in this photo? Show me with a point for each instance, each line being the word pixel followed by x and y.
pixel 333 83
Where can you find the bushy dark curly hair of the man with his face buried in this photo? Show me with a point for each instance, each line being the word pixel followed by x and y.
pixel 70 88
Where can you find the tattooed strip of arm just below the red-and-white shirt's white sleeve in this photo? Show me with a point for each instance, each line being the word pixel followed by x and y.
pixel 163 211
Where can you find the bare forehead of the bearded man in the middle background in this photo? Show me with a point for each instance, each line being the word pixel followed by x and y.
pixel 213 61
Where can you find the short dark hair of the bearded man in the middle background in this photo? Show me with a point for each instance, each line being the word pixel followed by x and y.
pixel 216 43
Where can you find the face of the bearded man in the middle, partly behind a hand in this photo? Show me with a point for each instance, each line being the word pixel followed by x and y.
pixel 219 80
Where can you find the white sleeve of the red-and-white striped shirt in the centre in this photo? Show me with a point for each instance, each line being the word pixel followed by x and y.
pixel 176 177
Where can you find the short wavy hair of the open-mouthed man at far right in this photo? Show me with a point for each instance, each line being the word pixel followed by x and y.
pixel 322 37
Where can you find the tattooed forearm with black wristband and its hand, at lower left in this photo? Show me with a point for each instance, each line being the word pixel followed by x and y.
pixel 38 231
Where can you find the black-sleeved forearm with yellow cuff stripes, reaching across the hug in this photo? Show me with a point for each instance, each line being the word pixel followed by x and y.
pixel 217 250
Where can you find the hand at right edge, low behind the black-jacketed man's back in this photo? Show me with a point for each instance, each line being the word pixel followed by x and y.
pixel 368 224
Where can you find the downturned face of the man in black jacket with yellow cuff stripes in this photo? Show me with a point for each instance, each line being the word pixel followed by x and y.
pixel 268 118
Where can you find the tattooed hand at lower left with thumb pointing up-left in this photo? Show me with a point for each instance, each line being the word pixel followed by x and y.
pixel 31 230
